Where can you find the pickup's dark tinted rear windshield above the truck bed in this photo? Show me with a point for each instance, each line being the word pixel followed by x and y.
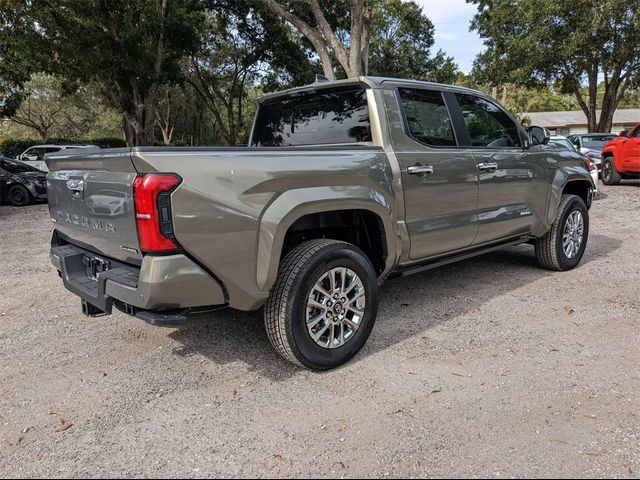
pixel 336 116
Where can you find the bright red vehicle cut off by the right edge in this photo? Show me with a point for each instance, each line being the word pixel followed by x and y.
pixel 621 157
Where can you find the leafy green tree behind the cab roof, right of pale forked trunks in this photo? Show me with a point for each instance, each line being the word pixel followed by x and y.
pixel 401 41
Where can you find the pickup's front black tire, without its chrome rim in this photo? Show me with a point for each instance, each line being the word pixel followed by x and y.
pixel 550 249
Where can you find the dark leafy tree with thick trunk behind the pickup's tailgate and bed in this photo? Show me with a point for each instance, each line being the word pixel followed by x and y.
pixel 128 48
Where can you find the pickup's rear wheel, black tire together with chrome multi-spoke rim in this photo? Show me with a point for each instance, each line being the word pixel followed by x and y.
pixel 323 305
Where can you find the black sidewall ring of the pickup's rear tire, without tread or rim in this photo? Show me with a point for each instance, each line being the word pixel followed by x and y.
pixel 308 352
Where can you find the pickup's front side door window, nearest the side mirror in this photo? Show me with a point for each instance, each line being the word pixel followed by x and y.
pixel 488 125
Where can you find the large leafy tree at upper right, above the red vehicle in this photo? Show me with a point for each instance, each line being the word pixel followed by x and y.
pixel 569 42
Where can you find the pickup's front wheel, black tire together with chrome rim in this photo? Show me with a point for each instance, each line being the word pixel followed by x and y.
pixel 562 247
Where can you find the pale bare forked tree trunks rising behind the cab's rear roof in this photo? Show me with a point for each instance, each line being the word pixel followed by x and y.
pixel 313 21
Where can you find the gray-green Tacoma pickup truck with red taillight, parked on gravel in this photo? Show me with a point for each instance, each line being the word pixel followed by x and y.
pixel 344 184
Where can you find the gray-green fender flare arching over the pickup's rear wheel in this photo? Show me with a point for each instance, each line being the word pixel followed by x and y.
pixel 294 204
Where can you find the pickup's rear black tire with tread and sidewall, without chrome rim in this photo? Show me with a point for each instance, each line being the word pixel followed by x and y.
pixel 286 308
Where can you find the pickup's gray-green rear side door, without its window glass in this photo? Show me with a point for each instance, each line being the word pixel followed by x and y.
pixel 440 207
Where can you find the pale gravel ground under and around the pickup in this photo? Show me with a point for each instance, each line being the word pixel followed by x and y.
pixel 491 367
